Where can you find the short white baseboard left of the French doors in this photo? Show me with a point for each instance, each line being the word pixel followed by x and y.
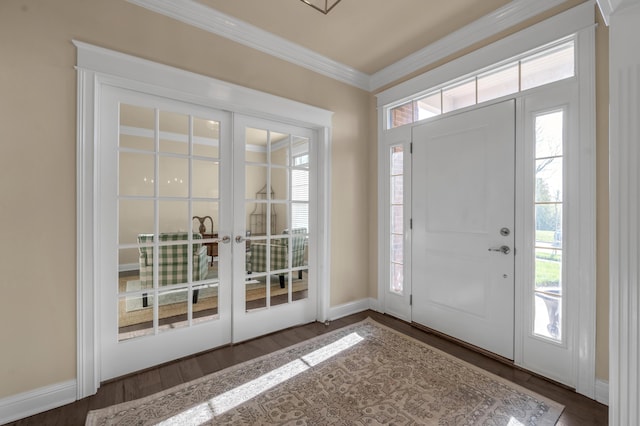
pixel 36 401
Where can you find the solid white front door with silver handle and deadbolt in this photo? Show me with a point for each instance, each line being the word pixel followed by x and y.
pixel 463 226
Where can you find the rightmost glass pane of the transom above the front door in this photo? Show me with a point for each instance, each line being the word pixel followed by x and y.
pixel 551 65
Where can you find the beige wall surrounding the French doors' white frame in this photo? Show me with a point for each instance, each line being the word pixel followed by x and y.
pixel 38 162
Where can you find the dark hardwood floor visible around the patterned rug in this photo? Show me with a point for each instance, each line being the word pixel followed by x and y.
pixel 579 409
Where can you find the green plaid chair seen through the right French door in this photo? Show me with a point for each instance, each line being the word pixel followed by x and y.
pixel 257 255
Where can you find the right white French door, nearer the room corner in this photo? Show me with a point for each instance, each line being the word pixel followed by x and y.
pixel 274 223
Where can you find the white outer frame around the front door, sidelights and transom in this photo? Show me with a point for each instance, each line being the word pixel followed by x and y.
pixel 578 21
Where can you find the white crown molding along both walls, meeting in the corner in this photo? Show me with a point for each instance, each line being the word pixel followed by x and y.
pixel 216 22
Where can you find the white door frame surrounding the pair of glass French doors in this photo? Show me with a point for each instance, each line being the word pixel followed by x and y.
pixel 97 67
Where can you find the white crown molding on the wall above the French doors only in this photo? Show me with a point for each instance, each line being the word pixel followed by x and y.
pixel 216 22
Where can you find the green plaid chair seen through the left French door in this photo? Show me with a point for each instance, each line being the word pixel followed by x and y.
pixel 172 261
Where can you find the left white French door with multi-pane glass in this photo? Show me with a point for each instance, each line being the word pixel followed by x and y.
pixel 163 293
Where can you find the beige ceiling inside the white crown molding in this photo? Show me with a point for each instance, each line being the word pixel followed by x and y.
pixel 367 35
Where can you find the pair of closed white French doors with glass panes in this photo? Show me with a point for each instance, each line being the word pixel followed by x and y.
pixel 203 239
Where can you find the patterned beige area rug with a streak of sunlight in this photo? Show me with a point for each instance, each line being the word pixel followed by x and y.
pixel 365 373
